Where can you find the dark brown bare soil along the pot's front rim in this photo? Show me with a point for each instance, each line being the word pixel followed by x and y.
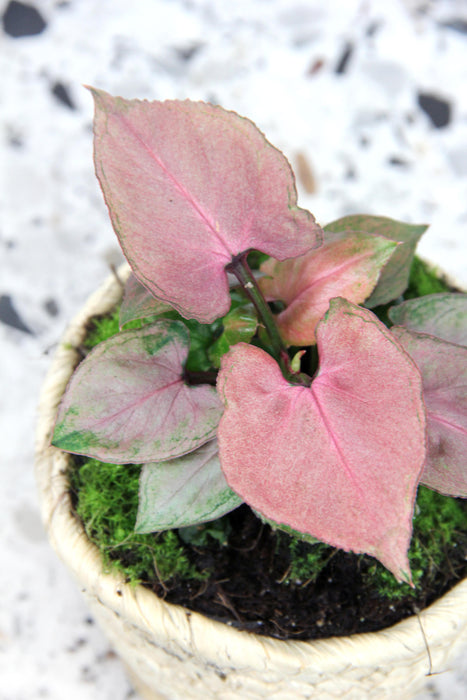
pixel 246 591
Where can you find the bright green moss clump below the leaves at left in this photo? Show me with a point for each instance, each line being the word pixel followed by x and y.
pixel 107 503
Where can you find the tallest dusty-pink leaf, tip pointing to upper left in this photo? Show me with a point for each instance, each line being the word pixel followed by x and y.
pixel 189 186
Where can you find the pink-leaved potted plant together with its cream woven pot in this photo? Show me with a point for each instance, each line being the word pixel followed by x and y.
pixel 259 374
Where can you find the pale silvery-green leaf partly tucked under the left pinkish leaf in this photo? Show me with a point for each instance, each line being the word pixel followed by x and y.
pixel 184 491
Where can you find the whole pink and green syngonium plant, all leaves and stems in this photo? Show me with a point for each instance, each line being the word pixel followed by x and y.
pixel 277 387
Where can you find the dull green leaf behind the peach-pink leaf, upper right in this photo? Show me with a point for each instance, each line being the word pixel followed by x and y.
pixel 395 276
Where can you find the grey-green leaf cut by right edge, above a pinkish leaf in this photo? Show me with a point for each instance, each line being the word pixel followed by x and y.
pixel 441 315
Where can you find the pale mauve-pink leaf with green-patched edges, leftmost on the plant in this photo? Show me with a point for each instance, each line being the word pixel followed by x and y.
pixel 127 401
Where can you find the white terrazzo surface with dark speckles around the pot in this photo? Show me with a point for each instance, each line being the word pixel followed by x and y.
pixel 367 99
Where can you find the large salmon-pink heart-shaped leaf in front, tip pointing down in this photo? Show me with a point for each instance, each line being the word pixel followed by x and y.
pixel 339 460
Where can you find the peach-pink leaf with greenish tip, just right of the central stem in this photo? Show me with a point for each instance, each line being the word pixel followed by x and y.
pixel 347 265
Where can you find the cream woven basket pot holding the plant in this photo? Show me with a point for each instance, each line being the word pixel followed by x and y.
pixel 173 654
